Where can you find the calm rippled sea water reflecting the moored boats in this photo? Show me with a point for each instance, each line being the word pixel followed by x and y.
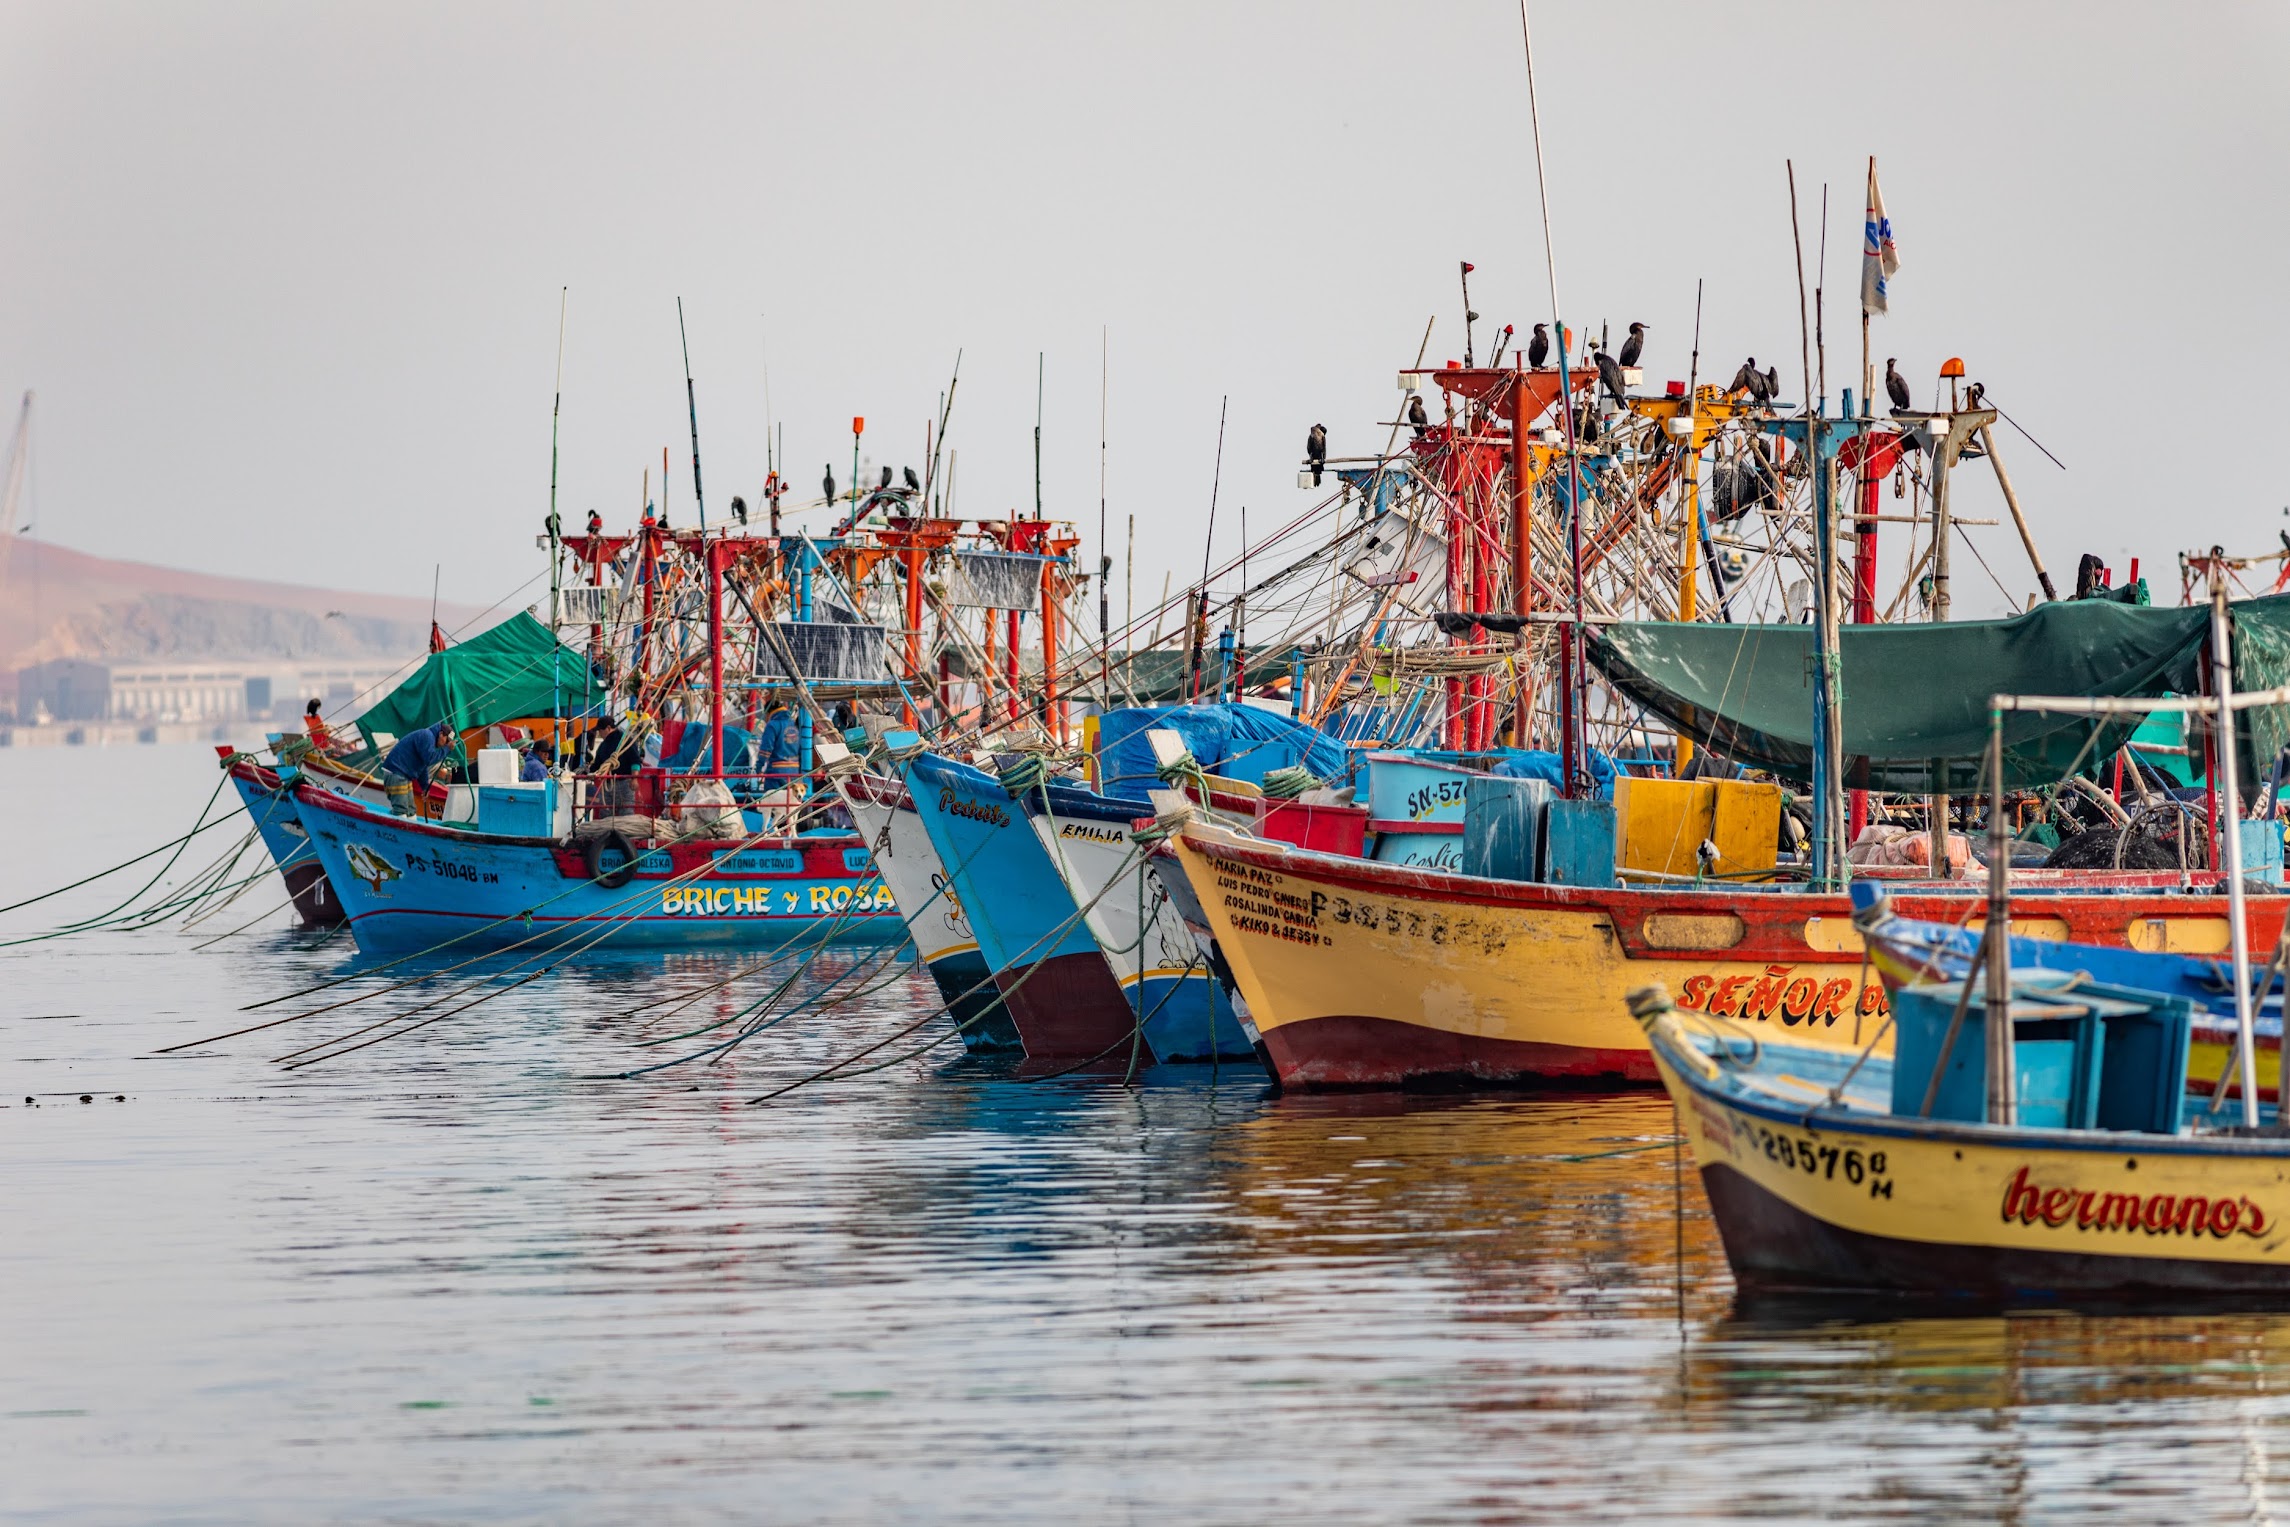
pixel 464 1276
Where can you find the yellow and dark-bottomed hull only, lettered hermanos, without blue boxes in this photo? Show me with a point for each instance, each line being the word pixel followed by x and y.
pixel 1819 1201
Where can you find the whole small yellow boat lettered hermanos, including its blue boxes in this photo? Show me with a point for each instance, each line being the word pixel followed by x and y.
pixel 1865 1178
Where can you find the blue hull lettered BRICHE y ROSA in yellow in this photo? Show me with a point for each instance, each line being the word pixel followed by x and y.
pixel 411 885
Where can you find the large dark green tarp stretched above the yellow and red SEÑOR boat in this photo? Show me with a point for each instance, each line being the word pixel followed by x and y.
pixel 1916 697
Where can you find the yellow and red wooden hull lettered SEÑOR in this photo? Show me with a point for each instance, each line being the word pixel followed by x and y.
pixel 1373 976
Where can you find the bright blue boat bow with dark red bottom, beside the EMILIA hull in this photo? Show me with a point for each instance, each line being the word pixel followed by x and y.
pixel 1055 979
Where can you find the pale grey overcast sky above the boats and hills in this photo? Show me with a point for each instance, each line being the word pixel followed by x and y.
pixel 287 276
